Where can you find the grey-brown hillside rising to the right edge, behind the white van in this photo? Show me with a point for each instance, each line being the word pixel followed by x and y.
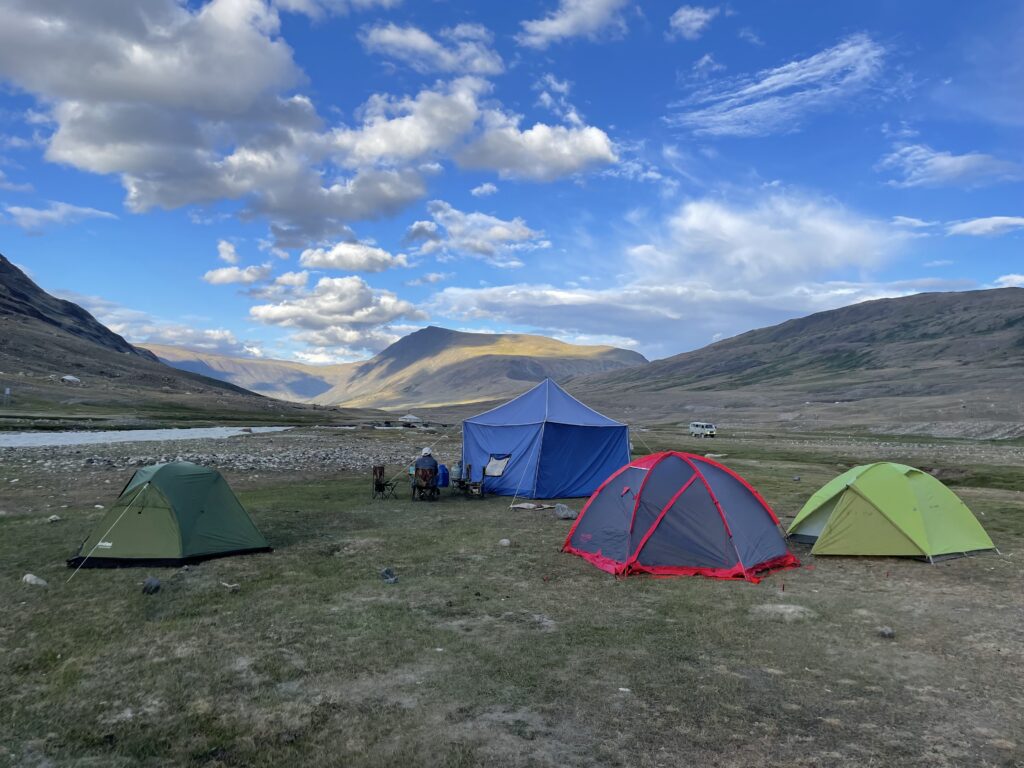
pixel 905 364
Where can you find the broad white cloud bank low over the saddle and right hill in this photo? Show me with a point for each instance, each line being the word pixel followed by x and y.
pixel 712 268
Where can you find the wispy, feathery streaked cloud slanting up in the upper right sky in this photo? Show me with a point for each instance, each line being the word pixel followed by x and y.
pixel 777 101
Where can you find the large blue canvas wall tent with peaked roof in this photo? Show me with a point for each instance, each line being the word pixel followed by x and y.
pixel 558 447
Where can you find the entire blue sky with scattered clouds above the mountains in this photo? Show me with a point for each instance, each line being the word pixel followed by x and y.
pixel 314 180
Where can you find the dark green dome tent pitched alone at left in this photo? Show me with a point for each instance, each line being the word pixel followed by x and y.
pixel 170 515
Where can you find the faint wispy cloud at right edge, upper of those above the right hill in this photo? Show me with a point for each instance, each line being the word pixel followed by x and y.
pixel 920 165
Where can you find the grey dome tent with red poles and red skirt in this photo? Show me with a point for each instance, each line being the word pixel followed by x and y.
pixel 679 515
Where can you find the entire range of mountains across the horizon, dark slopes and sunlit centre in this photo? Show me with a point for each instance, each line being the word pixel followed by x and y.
pixel 943 363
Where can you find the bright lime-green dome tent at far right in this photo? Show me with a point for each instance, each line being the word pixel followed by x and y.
pixel 888 509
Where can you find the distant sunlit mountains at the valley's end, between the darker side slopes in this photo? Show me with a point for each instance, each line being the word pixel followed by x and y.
pixel 431 367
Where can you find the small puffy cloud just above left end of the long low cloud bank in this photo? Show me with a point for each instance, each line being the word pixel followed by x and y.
pixel 455 233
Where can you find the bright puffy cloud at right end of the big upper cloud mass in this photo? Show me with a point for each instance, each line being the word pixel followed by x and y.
pixel 543 153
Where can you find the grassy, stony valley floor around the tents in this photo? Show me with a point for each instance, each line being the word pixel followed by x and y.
pixel 484 655
